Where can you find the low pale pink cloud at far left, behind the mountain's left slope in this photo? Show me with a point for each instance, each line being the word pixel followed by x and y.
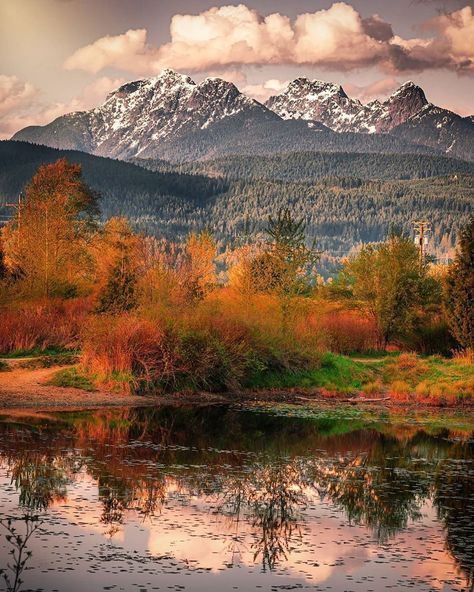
pixel 21 104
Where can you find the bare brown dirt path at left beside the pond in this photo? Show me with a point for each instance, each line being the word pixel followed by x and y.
pixel 25 387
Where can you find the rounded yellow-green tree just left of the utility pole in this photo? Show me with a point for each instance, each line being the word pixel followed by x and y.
pixel 385 281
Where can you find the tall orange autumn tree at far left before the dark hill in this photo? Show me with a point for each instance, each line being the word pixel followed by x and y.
pixel 46 242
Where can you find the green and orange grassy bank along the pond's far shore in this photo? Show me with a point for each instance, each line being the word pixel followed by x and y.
pixel 403 378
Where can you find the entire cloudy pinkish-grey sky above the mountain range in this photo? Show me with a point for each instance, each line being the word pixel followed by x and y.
pixel 58 56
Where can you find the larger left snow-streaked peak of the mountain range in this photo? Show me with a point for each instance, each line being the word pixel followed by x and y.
pixel 140 114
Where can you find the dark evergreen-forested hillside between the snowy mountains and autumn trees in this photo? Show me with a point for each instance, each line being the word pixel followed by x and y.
pixel 235 196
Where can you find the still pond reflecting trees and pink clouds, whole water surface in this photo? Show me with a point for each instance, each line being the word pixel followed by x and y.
pixel 216 498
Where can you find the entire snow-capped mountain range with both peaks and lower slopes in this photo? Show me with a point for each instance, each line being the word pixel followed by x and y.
pixel 171 117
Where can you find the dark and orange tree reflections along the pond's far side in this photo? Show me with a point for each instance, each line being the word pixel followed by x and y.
pixel 272 468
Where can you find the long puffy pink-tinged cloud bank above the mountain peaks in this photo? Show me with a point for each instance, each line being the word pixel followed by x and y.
pixel 337 38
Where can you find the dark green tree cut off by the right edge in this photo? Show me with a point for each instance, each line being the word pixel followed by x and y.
pixel 459 293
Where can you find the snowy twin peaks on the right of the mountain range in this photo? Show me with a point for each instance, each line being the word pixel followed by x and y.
pixel 329 104
